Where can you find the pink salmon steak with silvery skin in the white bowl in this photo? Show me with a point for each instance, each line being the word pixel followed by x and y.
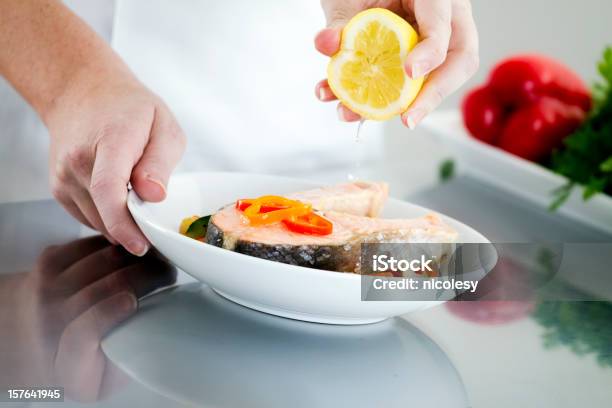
pixel 350 207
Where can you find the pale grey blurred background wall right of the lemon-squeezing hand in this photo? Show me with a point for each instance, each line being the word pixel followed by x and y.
pixel 573 31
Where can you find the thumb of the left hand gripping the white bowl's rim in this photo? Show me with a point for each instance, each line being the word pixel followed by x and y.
pixel 162 153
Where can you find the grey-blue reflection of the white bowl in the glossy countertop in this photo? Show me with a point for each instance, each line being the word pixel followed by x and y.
pixel 202 349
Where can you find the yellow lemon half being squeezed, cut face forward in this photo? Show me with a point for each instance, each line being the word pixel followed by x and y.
pixel 367 73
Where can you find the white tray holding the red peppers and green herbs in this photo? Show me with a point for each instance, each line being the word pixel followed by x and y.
pixel 514 174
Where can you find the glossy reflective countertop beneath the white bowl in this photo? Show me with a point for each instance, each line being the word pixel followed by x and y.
pixel 62 323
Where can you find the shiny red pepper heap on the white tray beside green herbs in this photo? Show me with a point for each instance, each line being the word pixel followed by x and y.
pixel 528 106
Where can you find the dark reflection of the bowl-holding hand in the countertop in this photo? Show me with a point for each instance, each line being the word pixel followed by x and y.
pixel 53 317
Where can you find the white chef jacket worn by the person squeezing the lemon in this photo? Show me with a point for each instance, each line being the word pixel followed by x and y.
pixel 239 77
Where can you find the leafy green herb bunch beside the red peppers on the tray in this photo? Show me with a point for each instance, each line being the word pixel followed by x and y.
pixel 586 157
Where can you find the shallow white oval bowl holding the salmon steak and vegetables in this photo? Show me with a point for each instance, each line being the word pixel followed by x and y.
pixel 276 288
